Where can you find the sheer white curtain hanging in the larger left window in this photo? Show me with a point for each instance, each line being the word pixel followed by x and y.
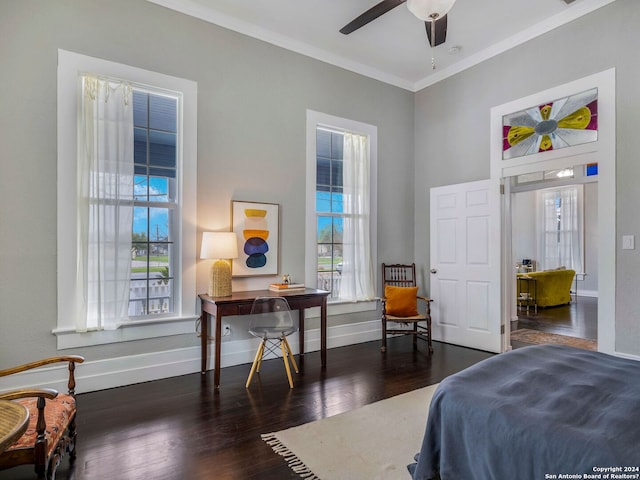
pixel 105 204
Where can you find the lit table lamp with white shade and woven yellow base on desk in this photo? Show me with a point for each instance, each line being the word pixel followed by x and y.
pixel 221 247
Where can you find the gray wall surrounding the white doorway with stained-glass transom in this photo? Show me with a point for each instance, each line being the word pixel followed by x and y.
pixel 452 127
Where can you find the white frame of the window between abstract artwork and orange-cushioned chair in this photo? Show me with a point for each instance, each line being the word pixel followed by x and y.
pixel 315 120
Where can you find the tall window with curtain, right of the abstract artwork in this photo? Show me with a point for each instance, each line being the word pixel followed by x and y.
pixel 341 225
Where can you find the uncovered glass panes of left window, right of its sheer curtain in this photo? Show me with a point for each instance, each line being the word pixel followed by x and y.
pixel 155 203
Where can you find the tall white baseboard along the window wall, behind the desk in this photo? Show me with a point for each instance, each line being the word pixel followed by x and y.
pixel 116 372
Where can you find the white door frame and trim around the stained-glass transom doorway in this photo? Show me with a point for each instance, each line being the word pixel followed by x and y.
pixel 603 152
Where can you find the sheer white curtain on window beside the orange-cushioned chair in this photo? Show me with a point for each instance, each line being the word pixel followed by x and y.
pixel 357 282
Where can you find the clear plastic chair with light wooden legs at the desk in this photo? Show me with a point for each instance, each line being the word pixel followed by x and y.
pixel 271 321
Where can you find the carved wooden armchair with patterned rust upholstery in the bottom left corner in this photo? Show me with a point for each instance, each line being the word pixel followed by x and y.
pixel 52 421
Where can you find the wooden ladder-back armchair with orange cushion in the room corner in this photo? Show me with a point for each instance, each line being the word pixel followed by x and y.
pixel 401 304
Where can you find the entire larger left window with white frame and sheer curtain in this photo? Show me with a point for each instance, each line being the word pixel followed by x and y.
pixel 126 202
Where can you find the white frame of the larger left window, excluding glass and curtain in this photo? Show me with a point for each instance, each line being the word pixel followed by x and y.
pixel 70 66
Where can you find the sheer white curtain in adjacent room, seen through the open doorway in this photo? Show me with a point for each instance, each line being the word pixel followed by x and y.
pixel 561 228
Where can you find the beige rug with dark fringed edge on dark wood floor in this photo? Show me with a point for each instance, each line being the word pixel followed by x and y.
pixel 376 441
